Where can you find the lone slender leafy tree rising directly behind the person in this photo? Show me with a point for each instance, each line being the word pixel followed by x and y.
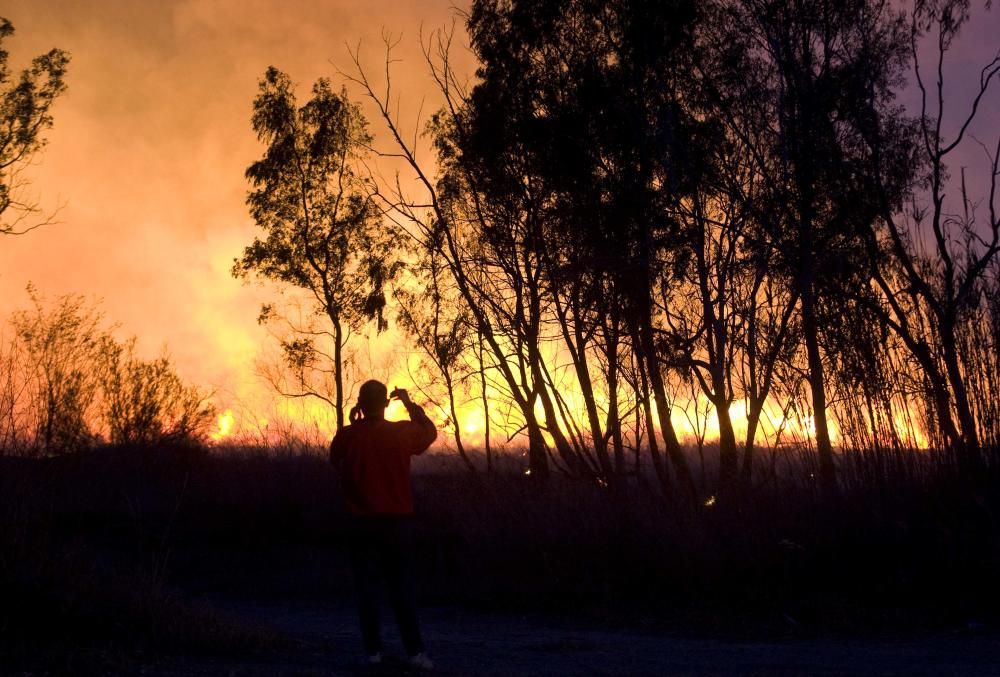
pixel 323 234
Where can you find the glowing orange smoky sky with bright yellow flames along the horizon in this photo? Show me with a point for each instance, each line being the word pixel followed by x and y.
pixel 148 154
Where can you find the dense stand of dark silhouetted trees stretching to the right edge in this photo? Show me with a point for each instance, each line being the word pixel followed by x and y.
pixel 637 207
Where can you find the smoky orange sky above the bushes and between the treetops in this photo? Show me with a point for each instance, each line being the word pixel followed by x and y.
pixel 150 144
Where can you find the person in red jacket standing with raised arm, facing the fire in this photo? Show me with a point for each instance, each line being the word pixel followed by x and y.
pixel 372 457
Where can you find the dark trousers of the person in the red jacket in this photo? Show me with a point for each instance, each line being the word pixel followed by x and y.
pixel 380 549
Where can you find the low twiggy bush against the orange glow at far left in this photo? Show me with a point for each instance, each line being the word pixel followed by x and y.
pixel 82 386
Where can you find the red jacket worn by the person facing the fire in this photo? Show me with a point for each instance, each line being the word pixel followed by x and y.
pixel 373 460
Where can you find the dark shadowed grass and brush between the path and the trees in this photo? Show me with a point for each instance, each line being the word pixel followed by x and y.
pixel 122 550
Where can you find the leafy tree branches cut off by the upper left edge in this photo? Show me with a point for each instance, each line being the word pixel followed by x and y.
pixel 25 114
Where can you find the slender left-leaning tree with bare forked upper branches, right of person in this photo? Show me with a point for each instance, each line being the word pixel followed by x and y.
pixel 480 247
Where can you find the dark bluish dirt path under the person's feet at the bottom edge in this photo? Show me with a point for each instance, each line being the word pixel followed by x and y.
pixel 477 644
